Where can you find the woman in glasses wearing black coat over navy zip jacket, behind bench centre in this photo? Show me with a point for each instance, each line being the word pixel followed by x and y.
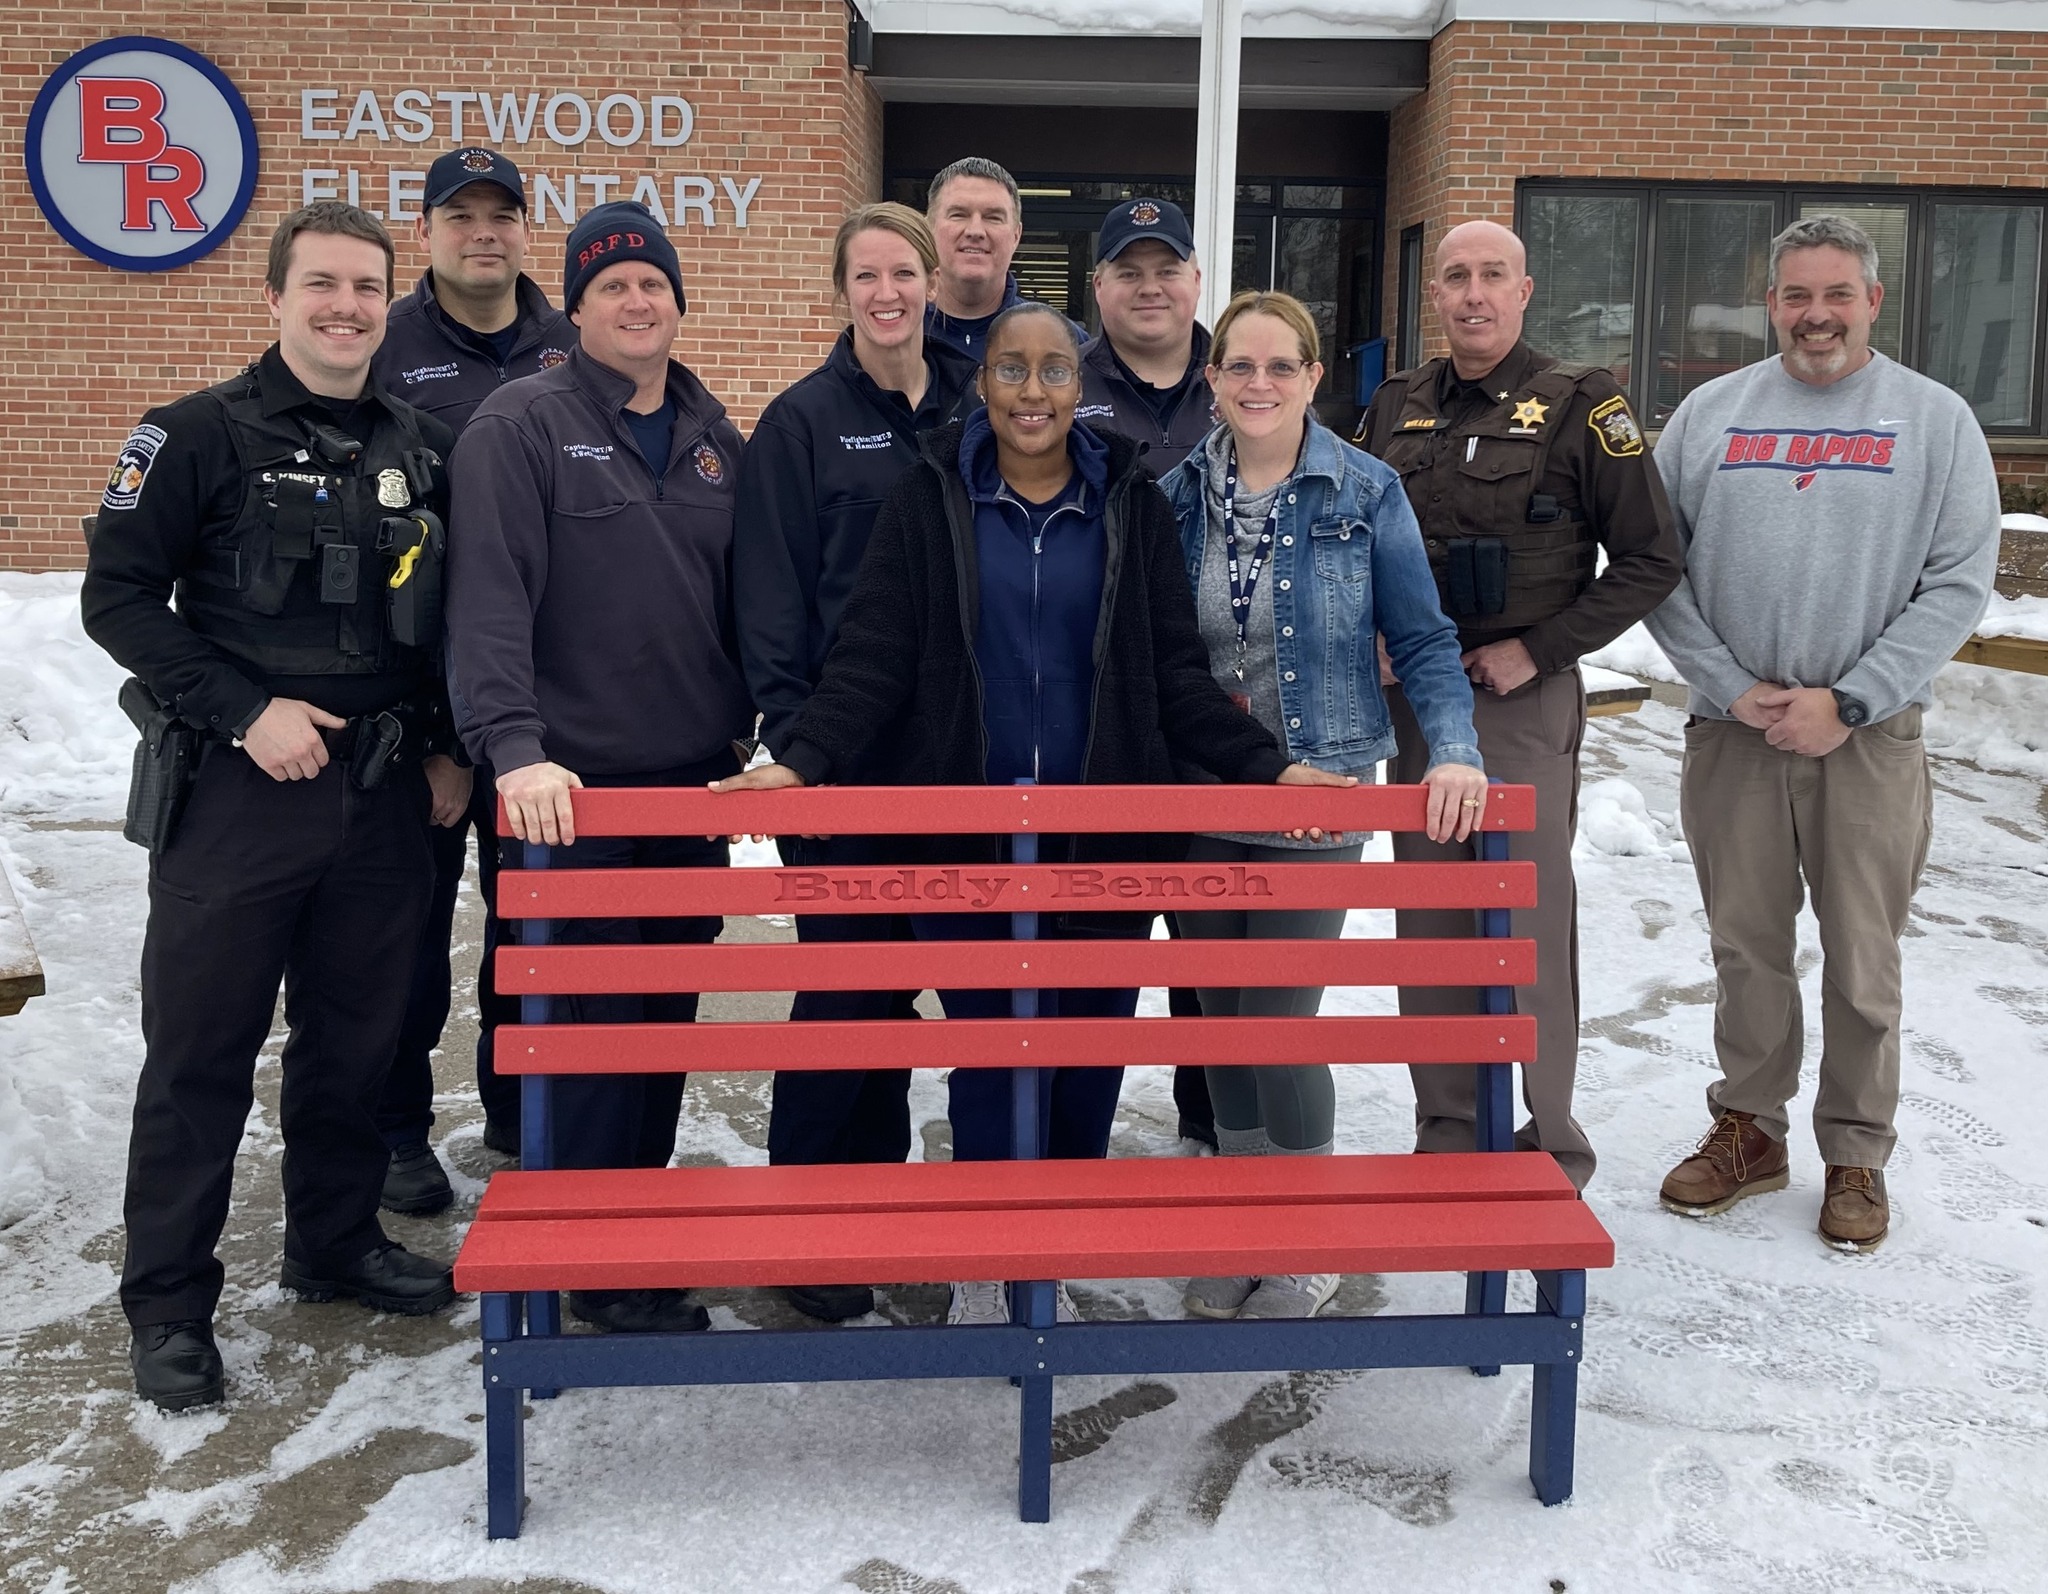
pixel 1025 612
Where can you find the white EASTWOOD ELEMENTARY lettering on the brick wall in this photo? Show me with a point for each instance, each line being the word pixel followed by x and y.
pixel 511 122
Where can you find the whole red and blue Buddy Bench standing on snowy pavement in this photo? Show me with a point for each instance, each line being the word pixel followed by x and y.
pixel 1482 1214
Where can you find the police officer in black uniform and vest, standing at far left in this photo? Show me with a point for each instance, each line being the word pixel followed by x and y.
pixel 288 511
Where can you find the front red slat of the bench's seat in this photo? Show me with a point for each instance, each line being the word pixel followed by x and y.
pixel 1103 1243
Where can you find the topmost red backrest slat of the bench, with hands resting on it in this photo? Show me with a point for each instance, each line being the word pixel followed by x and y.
pixel 992 810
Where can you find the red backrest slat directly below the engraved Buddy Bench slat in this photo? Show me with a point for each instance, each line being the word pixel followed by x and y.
pixel 861 966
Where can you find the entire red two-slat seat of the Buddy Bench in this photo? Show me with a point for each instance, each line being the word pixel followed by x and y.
pixel 927 1224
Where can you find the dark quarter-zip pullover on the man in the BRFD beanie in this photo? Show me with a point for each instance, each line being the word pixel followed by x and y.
pixel 589 599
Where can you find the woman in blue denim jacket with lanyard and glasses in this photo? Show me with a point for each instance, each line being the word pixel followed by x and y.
pixel 1304 552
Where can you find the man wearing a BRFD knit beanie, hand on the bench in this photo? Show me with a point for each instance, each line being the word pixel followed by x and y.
pixel 591 640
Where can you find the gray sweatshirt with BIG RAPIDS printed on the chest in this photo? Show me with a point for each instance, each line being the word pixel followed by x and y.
pixel 1838 536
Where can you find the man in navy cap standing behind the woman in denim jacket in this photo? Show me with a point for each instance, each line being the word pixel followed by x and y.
pixel 1146 378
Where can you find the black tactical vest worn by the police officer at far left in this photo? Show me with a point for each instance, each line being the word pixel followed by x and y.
pixel 271 587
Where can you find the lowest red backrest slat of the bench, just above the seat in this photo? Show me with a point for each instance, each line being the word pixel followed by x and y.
pixel 757 1048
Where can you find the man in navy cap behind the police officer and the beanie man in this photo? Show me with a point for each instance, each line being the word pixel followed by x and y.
pixel 474 323
